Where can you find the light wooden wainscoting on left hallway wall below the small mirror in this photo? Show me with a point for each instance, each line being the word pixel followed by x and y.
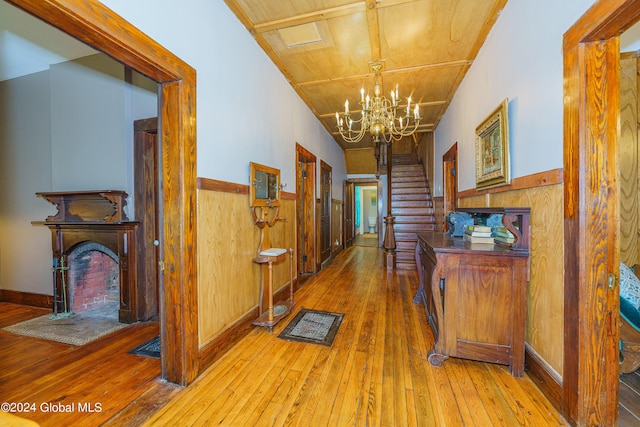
pixel 229 282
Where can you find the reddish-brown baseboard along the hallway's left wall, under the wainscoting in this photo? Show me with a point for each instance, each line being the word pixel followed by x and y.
pixel 218 346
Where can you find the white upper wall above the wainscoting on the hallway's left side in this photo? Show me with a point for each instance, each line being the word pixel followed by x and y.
pixel 246 110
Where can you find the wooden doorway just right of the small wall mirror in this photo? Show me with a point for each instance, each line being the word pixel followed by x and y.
pixel 306 157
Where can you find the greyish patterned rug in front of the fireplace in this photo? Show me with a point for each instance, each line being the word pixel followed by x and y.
pixel 74 329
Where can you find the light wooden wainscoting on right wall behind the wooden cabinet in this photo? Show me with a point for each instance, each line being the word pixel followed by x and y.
pixel 543 193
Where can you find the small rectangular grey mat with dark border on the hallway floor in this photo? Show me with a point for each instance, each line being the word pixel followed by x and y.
pixel 311 326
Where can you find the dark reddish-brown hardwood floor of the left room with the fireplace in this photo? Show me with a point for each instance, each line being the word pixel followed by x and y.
pixel 62 384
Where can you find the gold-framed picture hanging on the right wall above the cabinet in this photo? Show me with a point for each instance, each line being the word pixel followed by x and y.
pixel 492 148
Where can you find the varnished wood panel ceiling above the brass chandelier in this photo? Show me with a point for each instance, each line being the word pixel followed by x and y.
pixel 325 49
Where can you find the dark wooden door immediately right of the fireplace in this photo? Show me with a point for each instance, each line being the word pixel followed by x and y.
pixel 146 183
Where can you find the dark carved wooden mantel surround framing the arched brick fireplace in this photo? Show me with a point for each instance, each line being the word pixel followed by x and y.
pixel 93 217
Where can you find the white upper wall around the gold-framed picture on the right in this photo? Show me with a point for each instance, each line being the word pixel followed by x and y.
pixel 521 60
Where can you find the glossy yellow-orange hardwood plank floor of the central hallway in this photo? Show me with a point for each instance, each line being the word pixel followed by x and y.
pixel 375 373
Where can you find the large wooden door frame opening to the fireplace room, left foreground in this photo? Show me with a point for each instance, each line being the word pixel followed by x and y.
pixel 94 24
